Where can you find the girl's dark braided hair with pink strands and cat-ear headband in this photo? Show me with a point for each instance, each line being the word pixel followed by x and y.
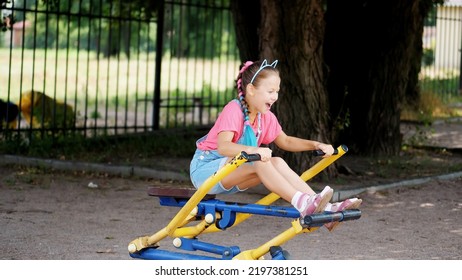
pixel 252 72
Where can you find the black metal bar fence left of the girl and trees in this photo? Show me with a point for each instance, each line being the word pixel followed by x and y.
pixel 97 67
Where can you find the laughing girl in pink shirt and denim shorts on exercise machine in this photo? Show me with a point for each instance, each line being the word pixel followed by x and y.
pixel 246 123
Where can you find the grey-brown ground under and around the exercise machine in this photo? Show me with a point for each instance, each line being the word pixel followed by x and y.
pixel 52 214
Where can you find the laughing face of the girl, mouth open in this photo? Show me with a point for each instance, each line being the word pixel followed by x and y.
pixel 260 98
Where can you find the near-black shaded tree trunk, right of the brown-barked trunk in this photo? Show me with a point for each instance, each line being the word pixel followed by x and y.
pixel 372 57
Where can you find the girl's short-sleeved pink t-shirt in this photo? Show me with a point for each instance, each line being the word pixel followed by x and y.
pixel 231 118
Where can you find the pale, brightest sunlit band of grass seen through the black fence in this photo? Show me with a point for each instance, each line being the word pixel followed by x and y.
pixel 83 76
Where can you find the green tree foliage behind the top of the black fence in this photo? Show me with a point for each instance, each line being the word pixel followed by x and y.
pixel 112 27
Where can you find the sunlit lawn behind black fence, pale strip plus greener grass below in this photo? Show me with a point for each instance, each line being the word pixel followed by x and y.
pixel 107 91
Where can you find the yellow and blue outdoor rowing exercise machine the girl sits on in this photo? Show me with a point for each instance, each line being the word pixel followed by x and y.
pixel 202 213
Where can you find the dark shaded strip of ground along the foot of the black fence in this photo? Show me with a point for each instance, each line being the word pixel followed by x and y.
pixel 103 149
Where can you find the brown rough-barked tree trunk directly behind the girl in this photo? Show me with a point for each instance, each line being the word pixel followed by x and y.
pixel 292 32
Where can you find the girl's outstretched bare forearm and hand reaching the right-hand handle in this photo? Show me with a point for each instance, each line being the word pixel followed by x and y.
pixel 295 144
